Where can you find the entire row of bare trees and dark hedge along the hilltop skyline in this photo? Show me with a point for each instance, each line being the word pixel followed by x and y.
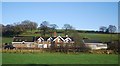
pixel 46 28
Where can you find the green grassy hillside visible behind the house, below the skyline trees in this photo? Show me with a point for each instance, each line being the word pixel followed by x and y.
pixel 94 36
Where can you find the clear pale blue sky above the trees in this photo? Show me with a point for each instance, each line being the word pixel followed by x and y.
pixel 81 15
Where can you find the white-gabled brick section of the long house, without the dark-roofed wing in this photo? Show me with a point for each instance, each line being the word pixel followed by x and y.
pixel 57 40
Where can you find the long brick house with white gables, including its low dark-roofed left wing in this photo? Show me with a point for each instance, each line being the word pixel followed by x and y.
pixel 41 42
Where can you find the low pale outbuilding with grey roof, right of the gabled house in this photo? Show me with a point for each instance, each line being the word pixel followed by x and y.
pixel 94 45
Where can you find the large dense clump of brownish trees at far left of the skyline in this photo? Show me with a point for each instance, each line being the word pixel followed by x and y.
pixel 18 28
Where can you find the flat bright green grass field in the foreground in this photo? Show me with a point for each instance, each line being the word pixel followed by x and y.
pixel 59 58
